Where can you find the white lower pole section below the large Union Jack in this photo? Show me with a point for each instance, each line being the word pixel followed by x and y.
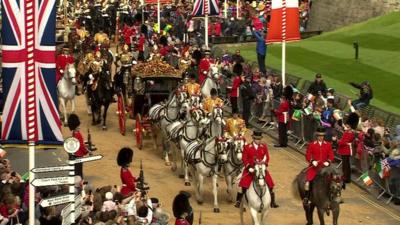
pixel 31 187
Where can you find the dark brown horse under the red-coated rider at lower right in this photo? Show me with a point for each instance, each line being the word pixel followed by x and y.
pixel 324 194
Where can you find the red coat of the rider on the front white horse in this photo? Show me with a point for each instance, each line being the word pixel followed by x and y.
pixel 249 154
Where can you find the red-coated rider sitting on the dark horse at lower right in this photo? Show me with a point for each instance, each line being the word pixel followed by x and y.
pixel 319 154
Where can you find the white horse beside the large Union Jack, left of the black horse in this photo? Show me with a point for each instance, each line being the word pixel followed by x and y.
pixel 66 90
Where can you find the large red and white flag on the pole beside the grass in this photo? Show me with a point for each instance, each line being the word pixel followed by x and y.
pixel 284 23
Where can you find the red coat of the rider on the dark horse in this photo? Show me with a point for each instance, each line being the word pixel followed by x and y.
pixel 321 153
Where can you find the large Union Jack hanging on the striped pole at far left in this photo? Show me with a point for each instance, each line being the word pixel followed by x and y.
pixel 28 33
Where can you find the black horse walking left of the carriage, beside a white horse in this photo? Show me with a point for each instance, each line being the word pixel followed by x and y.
pixel 100 94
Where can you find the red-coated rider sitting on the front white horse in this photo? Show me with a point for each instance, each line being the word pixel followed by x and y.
pixel 251 152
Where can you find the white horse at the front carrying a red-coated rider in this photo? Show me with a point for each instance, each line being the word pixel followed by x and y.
pixel 258 198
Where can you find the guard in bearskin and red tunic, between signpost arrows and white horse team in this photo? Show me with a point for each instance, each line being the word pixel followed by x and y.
pixel 124 159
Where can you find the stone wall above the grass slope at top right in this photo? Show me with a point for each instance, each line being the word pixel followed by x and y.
pixel 328 15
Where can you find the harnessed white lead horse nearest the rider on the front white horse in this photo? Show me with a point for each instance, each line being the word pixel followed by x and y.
pixel 234 164
